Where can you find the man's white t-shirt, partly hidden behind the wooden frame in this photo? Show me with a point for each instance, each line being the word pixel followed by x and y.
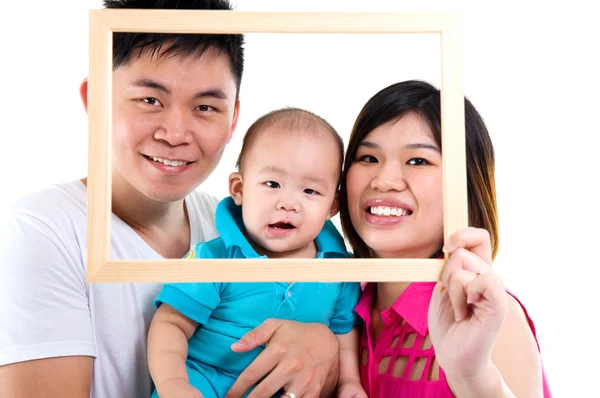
pixel 47 308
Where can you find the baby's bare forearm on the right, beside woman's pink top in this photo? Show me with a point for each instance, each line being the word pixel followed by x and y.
pixel 349 381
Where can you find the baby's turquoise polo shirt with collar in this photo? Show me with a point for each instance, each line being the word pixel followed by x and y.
pixel 227 311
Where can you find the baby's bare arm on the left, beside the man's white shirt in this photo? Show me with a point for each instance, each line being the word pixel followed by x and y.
pixel 167 352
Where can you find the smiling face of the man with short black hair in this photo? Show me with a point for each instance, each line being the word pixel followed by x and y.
pixel 172 118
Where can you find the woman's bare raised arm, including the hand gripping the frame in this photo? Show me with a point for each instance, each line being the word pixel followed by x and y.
pixel 480 335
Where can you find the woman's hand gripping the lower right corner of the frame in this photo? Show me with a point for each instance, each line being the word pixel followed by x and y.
pixel 468 308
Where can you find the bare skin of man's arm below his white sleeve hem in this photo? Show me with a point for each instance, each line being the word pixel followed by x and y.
pixel 63 377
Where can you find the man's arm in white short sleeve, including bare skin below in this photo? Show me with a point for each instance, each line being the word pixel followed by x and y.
pixel 46 344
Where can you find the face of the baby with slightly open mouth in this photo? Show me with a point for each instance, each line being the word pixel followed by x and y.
pixel 289 186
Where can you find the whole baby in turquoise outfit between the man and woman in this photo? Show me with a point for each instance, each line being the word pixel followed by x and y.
pixel 281 200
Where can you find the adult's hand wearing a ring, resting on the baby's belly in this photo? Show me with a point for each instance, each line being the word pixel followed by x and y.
pixel 299 358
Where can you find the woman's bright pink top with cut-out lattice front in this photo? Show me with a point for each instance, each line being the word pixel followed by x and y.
pixel 405 335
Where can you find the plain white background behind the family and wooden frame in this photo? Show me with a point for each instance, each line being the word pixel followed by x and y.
pixel 531 70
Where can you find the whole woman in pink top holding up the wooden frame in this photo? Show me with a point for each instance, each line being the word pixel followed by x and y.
pixel 464 336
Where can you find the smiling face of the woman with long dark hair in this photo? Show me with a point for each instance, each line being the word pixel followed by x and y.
pixel 394 186
